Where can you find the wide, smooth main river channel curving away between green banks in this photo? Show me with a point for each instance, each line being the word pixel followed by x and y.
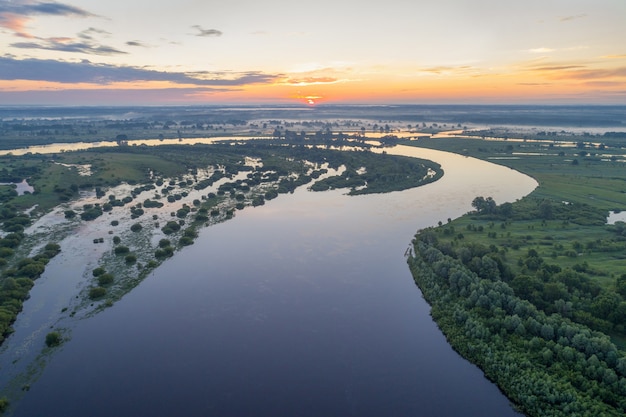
pixel 302 307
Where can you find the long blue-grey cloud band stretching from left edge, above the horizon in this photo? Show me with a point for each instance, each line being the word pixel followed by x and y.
pixel 88 72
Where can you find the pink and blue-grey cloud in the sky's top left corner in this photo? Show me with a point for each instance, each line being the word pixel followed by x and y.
pixel 15 15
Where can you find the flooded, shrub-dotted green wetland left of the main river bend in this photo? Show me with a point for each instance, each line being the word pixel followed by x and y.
pixel 166 195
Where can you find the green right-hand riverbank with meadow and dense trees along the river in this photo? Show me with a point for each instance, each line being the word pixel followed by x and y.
pixel 532 292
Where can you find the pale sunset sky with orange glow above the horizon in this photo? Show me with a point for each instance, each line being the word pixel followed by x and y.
pixel 157 52
